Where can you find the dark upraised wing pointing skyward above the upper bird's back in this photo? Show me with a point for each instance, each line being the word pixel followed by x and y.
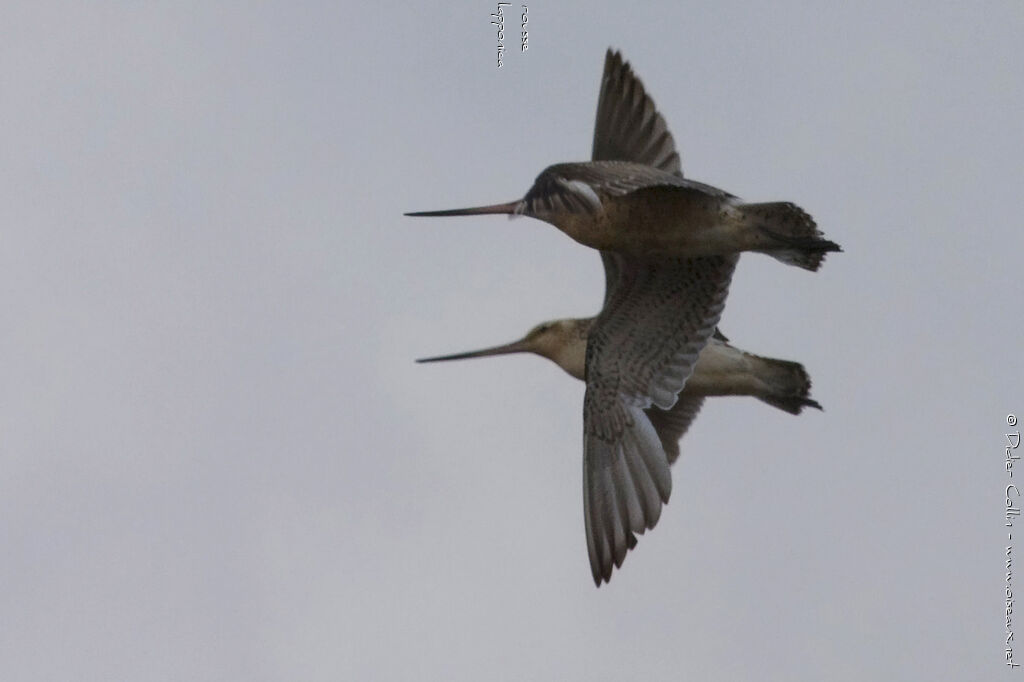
pixel 629 127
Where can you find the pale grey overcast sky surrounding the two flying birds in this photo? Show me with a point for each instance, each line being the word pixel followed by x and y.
pixel 220 462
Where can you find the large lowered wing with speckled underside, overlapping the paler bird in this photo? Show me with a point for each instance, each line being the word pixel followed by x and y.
pixel 643 348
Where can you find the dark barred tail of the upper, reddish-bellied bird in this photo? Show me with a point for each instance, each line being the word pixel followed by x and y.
pixel 792 236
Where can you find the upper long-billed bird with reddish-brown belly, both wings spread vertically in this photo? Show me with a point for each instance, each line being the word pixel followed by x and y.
pixel 669 248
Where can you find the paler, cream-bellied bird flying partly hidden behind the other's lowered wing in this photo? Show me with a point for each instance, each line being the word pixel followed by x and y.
pixel 721 370
